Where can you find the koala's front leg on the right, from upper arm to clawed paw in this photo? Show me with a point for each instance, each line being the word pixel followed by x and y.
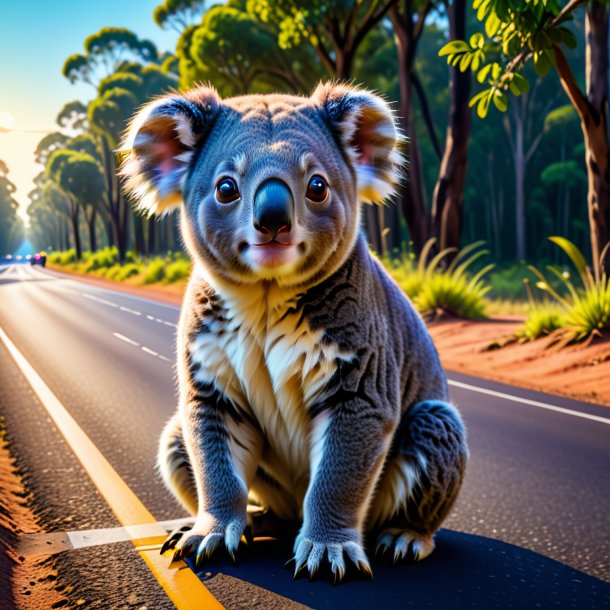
pixel 351 437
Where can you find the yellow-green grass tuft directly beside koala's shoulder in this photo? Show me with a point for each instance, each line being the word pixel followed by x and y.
pixel 436 290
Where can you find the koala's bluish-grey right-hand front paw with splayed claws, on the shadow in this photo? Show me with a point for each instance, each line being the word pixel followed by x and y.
pixel 310 549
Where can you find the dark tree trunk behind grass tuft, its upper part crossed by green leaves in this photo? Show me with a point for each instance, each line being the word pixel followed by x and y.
pixel 448 197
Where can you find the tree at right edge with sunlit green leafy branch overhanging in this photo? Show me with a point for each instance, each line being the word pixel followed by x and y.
pixel 536 31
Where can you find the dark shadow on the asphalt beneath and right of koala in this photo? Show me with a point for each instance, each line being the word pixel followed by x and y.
pixel 465 571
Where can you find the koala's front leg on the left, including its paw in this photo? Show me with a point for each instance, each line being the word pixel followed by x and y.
pixel 222 462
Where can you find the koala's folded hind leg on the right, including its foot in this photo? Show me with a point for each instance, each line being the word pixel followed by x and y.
pixel 421 480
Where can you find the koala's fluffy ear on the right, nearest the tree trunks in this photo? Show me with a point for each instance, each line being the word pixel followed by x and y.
pixel 365 126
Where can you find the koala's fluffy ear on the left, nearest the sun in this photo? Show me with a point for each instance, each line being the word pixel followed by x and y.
pixel 159 144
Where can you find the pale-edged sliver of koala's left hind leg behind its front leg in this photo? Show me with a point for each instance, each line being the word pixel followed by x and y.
pixel 175 467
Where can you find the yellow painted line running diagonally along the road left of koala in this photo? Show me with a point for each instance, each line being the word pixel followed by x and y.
pixel 181 585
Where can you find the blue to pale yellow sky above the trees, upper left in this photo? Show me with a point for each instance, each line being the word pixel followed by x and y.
pixel 35 39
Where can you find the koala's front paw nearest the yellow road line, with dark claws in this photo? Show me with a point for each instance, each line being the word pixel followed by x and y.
pixel 205 537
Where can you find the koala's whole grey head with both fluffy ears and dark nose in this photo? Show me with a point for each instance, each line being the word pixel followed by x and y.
pixel 271 184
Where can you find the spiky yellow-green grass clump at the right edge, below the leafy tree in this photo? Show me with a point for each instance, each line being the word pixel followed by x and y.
pixel 584 306
